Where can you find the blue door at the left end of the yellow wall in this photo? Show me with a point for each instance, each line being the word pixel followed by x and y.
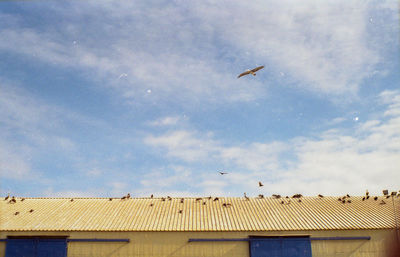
pixel 36 247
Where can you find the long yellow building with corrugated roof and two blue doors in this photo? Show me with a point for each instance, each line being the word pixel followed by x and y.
pixel 209 226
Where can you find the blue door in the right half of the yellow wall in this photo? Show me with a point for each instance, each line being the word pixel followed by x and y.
pixel 280 247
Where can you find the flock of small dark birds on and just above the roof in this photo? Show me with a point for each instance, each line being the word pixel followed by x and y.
pixel 346 199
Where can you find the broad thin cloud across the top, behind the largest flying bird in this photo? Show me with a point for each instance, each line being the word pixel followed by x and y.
pixel 193 51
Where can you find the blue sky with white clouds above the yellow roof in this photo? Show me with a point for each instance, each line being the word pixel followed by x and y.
pixel 102 98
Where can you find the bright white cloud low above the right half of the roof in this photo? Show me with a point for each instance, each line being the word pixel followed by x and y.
pixel 334 162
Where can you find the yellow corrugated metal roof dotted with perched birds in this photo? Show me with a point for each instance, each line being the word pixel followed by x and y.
pixel 226 214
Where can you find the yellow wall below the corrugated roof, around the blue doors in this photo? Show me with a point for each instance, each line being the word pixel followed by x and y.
pixel 169 244
